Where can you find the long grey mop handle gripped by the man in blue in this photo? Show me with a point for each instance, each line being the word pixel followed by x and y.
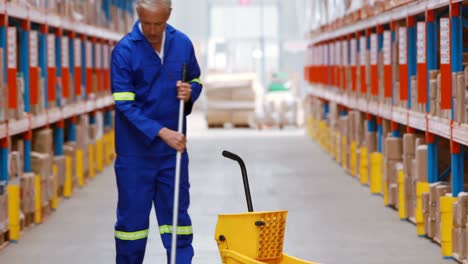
pixel 175 213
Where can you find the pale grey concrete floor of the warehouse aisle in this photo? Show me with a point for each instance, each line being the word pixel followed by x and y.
pixel 332 218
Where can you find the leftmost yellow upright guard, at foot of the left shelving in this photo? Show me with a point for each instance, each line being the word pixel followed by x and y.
pixel 14 210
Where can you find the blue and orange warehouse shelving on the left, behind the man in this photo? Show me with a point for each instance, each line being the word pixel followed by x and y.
pixel 65 68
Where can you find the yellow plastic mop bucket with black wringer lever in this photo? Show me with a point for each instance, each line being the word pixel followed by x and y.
pixel 253 237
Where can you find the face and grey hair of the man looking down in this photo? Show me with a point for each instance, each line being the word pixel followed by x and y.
pixel 153 22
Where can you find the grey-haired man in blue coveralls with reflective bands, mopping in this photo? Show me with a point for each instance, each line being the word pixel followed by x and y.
pixel 147 89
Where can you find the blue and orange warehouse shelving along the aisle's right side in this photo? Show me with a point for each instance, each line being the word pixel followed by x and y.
pixel 354 63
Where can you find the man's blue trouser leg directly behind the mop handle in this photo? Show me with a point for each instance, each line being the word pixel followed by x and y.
pixel 163 201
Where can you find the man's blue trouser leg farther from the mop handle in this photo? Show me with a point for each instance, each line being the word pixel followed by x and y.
pixel 136 187
